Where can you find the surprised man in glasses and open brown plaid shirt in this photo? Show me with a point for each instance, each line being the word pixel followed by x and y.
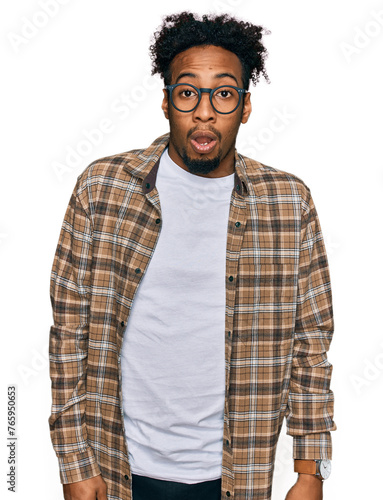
pixel 191 300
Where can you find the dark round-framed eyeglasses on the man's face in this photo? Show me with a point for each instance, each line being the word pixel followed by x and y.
pixel 224 99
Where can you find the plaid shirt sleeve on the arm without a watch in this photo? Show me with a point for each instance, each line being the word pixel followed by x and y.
pixel 68 345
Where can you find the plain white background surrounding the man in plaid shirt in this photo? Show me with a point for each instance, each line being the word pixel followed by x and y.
pixel 71 72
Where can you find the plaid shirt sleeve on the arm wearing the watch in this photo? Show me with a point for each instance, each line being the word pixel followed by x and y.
pixel 310 407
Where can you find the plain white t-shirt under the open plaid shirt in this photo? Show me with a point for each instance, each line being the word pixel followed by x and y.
pixel 172 357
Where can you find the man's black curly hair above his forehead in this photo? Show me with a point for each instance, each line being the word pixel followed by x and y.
pixel 179 32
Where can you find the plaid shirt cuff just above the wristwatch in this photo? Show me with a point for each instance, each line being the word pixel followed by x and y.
pixel 312 446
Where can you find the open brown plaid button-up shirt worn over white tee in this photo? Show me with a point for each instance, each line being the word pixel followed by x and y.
pixel 278 323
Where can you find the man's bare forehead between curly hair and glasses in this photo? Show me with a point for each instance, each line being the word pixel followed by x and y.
pixel 206 61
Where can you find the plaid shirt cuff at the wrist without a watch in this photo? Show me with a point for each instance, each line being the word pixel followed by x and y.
pixel 76 467
